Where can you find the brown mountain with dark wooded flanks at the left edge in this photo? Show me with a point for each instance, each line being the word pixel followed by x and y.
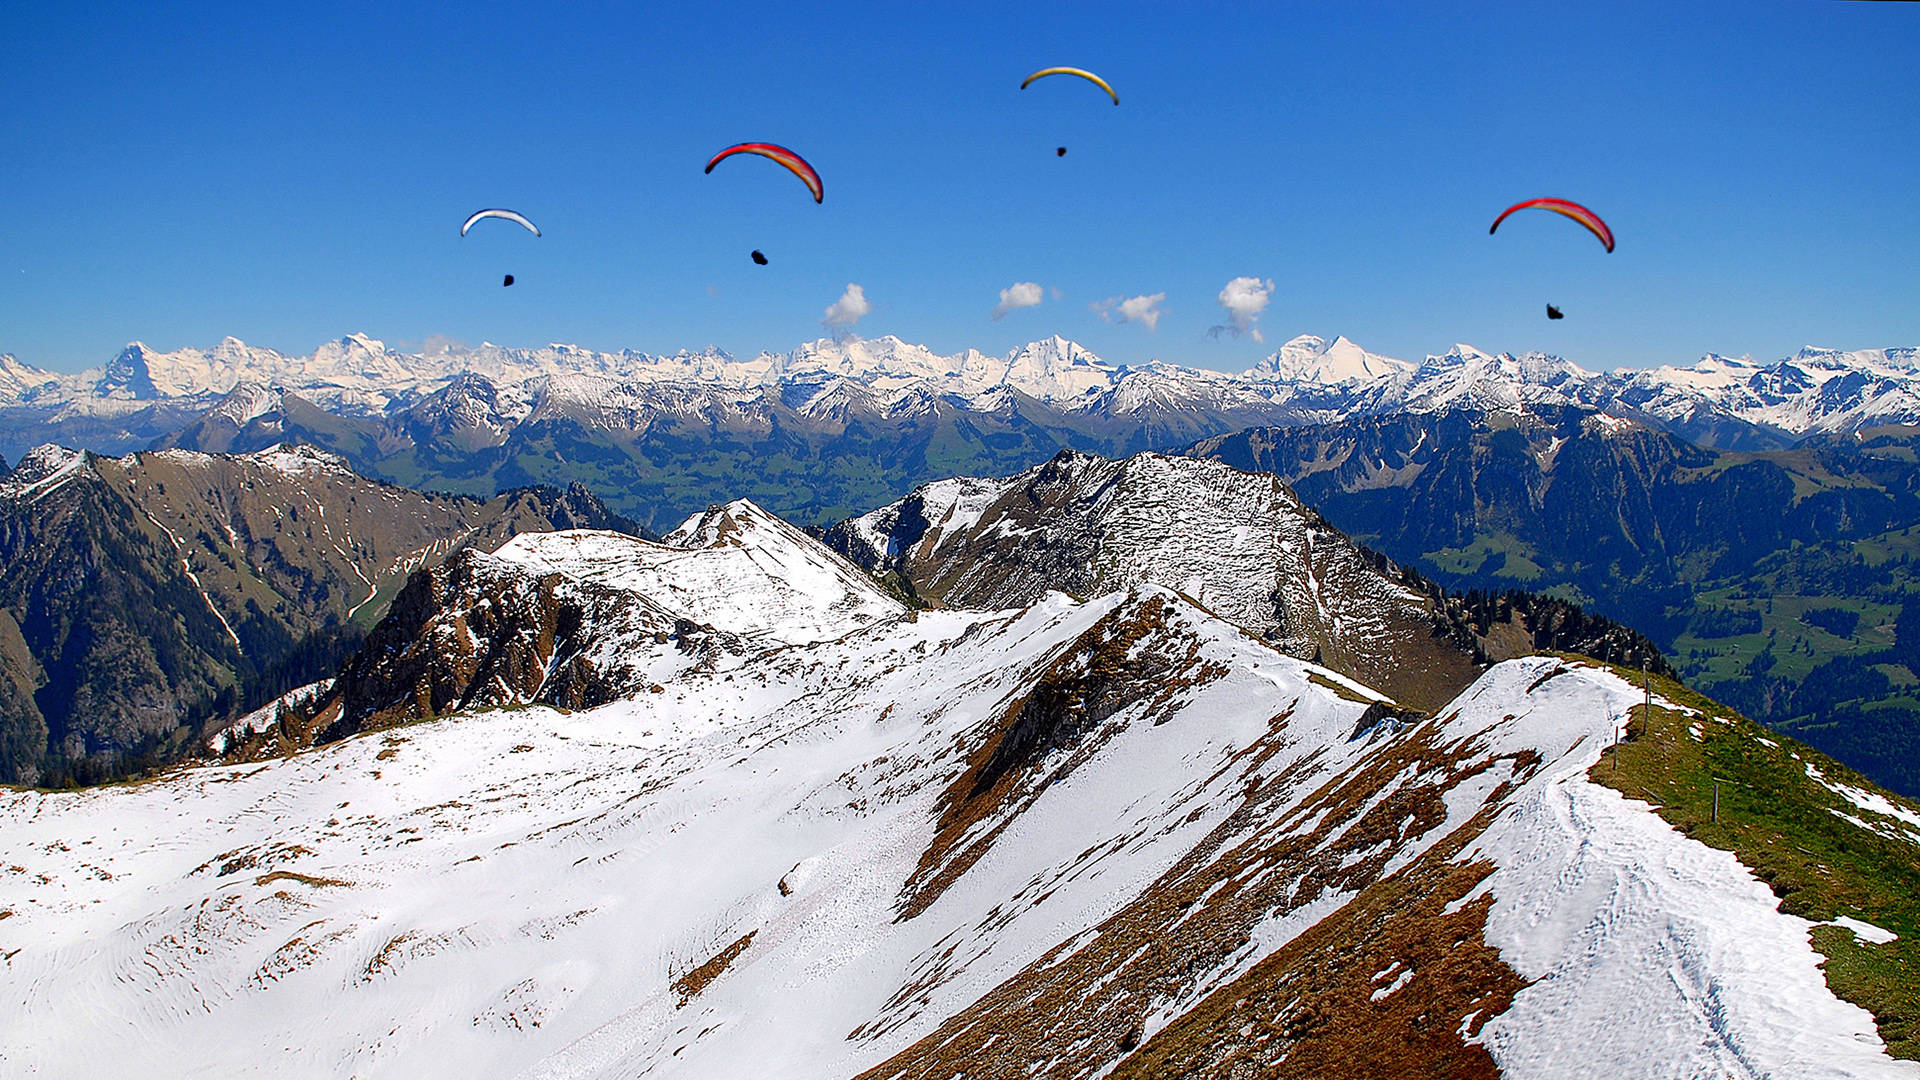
pixel 153 593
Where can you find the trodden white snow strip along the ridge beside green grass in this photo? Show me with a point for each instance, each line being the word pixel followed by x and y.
pixel 1648 954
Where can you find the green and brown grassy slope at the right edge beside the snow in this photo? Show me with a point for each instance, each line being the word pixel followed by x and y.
pixel 1779 820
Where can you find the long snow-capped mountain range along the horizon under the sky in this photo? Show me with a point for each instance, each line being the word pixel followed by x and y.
pixel 1308 380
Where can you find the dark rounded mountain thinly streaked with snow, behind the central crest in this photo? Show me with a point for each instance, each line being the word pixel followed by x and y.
pixel 1239 545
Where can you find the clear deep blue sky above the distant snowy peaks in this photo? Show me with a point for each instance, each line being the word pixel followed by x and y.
pixel 176 174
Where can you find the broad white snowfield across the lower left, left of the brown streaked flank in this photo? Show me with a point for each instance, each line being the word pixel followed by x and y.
pixel 517 893
